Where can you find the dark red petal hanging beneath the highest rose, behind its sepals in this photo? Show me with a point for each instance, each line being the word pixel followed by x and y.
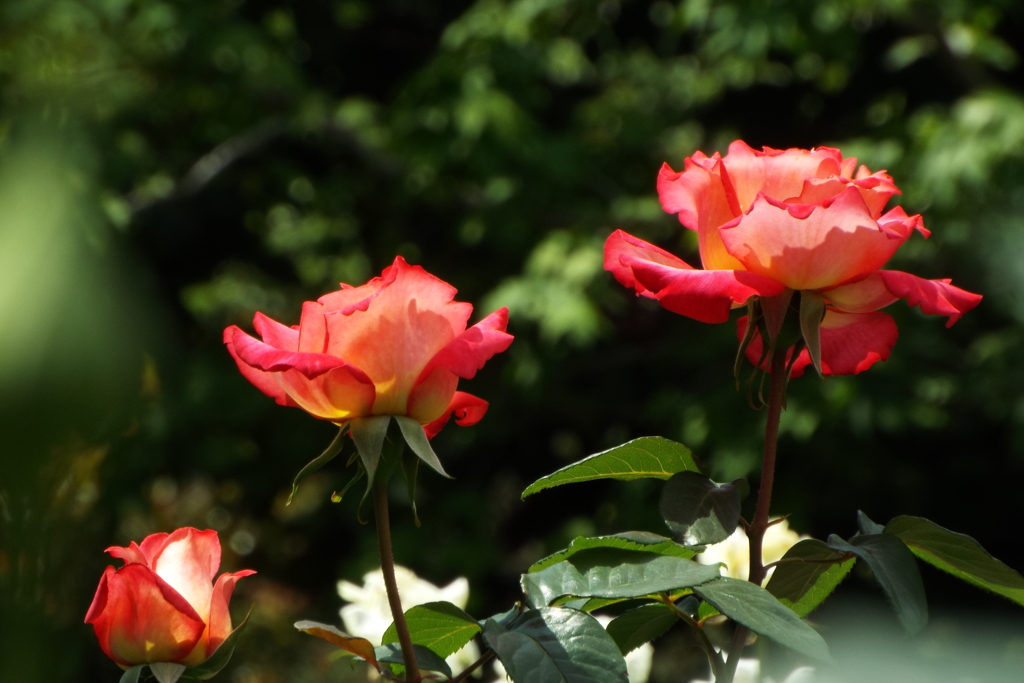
pixel 850 344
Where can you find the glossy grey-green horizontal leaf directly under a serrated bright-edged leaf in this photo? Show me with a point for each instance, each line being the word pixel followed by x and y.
pixel 611 573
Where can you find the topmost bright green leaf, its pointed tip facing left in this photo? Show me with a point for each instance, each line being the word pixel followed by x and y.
pixel 646 458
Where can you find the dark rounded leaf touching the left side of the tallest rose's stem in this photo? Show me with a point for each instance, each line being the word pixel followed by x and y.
pixel 699 510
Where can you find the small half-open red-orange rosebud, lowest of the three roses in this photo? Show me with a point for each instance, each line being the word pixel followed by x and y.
pixel 164 606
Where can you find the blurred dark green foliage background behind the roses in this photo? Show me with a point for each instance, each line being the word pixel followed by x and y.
pixel 169 168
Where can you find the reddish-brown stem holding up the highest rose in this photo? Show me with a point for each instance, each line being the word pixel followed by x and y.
pixel 756 532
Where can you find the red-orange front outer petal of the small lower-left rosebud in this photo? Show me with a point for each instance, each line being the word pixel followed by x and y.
pixel 140 619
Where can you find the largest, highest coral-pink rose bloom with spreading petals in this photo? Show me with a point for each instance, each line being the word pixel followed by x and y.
pixel 795 220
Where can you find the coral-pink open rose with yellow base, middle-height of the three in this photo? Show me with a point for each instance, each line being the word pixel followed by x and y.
pixel 397 346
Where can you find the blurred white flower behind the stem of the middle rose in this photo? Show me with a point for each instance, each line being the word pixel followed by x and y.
pixel 369 615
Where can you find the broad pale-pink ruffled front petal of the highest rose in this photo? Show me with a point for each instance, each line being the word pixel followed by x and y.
pixel 812 247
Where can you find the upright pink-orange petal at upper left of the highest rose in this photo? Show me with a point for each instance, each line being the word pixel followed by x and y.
pixel 698 195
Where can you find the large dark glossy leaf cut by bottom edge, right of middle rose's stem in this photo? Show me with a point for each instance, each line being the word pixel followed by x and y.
pixel 557 646
